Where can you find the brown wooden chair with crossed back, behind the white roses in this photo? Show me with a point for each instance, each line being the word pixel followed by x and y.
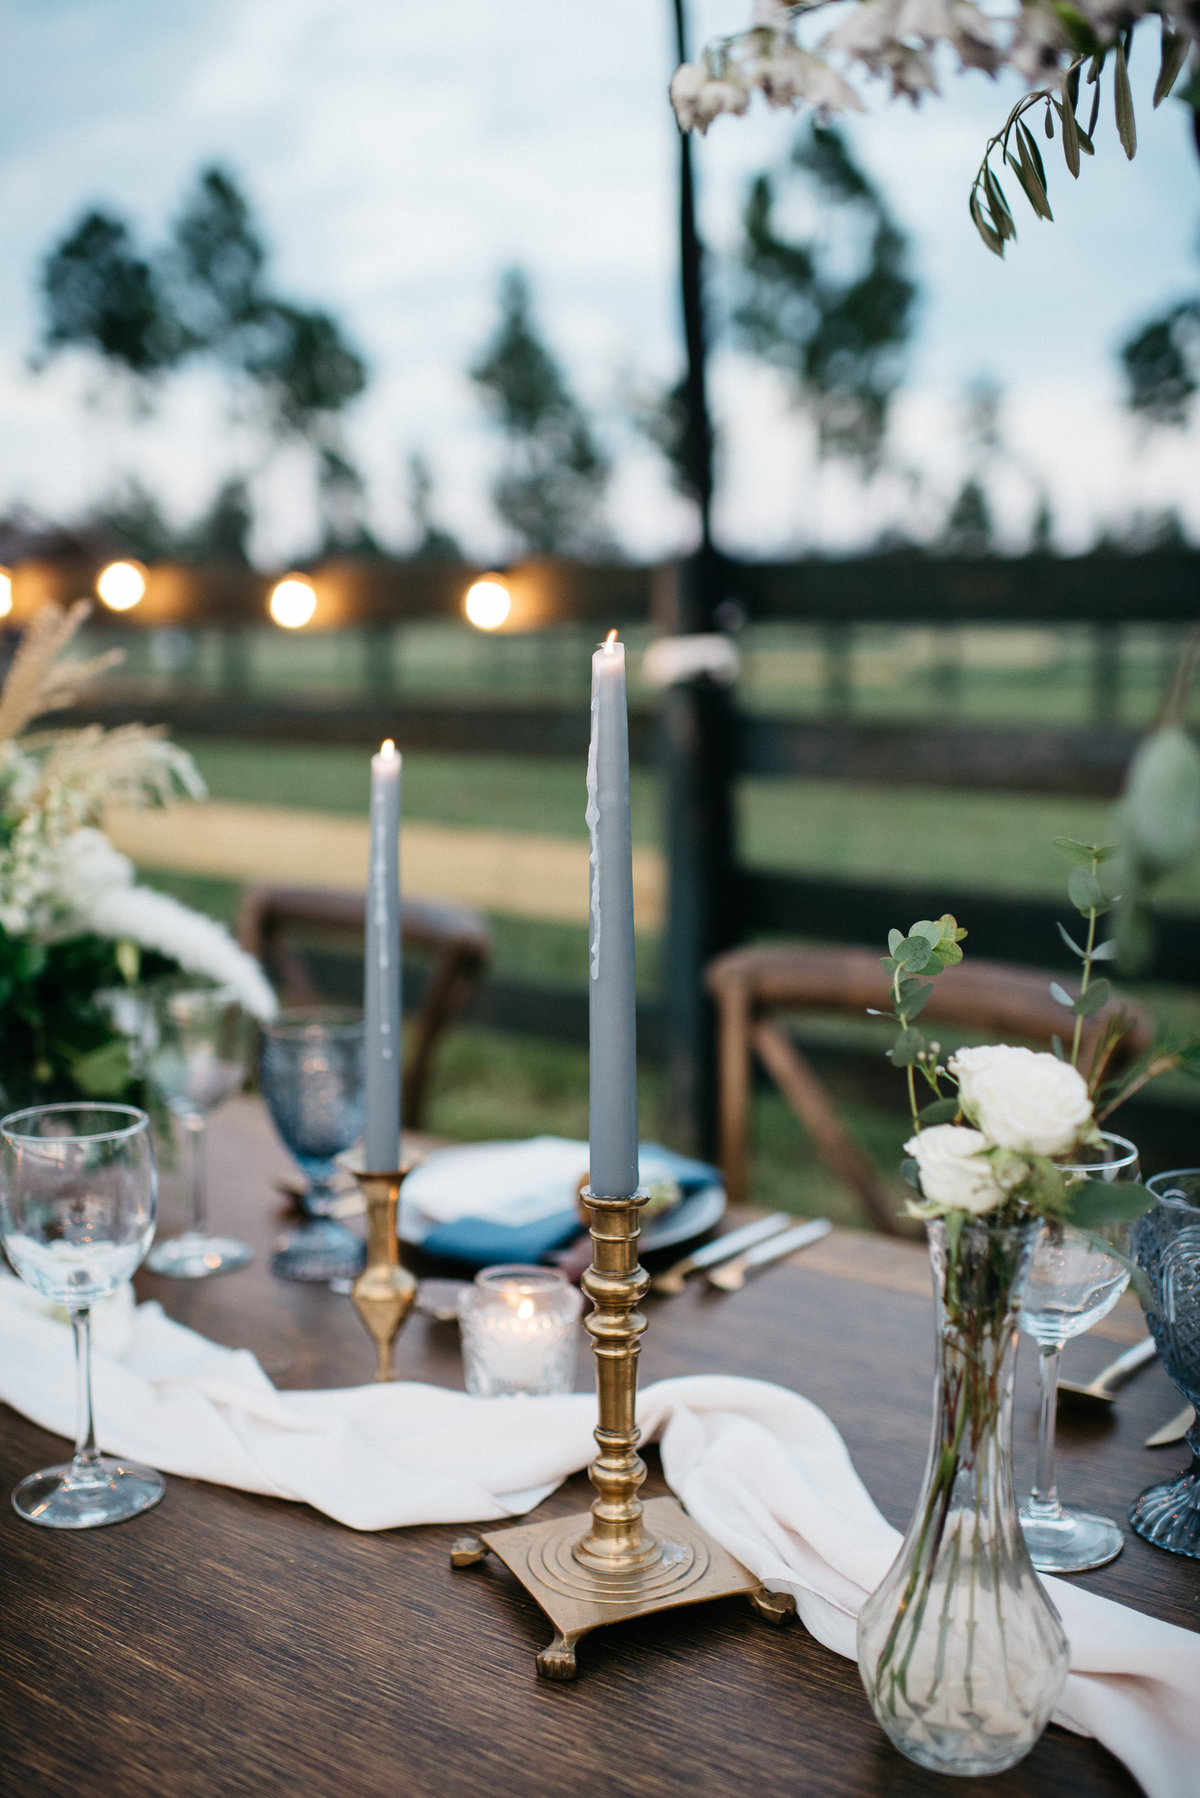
pixel 1005 1004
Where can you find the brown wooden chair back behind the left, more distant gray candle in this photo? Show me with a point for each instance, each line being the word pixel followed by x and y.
pixel 282 923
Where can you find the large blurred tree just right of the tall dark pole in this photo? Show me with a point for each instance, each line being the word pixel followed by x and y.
pixel 837 334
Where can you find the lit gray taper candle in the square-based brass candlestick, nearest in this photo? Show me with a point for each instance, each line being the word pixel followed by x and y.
pixel 613 1125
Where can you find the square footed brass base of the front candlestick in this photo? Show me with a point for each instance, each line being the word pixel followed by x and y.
pixel 690 1571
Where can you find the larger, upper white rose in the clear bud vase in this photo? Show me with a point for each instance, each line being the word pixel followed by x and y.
pixel 1025 1101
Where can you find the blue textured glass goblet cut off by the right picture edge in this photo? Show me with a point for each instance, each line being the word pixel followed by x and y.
pixel 1167 1245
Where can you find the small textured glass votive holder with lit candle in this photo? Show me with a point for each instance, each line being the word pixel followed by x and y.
pixel 521 1331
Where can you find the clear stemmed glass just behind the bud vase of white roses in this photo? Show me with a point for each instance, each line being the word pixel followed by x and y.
pixel 1071 1288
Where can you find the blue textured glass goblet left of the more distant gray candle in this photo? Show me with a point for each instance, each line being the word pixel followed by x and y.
pixel 312 1078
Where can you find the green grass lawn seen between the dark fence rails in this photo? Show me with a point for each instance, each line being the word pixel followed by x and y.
pixel 494 1085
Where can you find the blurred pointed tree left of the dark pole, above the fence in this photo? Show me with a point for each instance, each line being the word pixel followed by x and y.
pixel 553 476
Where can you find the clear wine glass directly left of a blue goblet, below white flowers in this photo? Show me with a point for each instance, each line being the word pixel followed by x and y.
pixel 197 1058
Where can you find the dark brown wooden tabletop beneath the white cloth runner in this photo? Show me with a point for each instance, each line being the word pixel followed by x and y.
pixel 229 1644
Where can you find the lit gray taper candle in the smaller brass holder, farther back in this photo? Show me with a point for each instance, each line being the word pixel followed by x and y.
pixel 384 1042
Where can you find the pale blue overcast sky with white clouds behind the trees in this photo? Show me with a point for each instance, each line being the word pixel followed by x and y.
pixel 400 154
